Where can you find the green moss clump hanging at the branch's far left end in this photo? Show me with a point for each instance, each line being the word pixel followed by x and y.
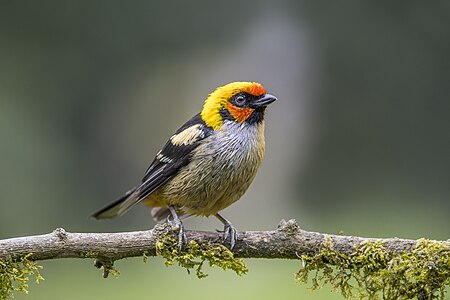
pixel 14 275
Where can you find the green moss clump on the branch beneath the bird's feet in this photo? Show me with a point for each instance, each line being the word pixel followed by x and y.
pixel 194 256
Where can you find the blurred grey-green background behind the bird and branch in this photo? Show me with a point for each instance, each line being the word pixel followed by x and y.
pixel 358 142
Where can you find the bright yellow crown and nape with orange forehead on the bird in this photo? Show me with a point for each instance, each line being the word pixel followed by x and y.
pixel 217 99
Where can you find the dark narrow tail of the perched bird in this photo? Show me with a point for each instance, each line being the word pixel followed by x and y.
pixel 119 206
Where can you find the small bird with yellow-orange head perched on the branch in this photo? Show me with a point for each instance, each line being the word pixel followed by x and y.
pixel 207 164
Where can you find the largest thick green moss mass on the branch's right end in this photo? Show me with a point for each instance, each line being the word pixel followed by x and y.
pixel 373 272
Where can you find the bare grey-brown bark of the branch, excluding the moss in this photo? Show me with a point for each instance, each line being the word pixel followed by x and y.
pixel 288 242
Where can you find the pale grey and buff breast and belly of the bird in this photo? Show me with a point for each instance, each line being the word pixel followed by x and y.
pixel 221 170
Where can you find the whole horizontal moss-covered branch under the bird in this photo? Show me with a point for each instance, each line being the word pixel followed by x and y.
pixel 395 268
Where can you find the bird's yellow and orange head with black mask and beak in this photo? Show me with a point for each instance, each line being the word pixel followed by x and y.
pixel 237 101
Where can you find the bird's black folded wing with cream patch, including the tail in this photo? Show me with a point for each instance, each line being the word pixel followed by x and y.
pixel 175 154
